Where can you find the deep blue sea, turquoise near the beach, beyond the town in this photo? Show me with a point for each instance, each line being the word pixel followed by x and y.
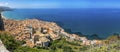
pixel 88 21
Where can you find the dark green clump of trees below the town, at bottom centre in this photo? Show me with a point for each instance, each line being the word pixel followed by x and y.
pixel 63 45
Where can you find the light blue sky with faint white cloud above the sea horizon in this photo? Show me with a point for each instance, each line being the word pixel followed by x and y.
pixel 61 3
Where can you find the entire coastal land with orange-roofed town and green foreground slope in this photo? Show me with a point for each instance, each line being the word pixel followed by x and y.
pixel 41 36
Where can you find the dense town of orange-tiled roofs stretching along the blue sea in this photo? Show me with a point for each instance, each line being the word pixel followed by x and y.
pixel 36 32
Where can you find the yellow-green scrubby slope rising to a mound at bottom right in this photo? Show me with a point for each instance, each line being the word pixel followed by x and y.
pixel 112 44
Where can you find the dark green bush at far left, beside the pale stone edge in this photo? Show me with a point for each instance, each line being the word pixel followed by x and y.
pixel 9 41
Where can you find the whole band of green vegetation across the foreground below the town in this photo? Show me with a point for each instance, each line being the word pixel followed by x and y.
pixel 112 44
